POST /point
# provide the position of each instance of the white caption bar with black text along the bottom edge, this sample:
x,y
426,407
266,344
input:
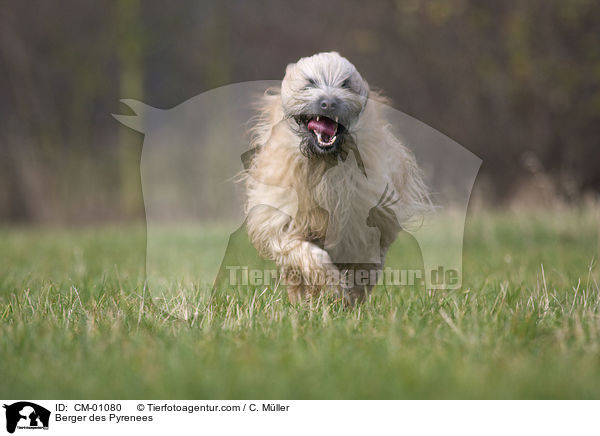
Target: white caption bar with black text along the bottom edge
x,y
22,417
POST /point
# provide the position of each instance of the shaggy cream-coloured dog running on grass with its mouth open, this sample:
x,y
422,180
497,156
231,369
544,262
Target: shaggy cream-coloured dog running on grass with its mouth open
x,y
324,136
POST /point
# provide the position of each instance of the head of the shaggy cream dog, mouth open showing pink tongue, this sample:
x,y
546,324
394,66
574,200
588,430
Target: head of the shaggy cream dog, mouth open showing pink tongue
x,y
323,96
